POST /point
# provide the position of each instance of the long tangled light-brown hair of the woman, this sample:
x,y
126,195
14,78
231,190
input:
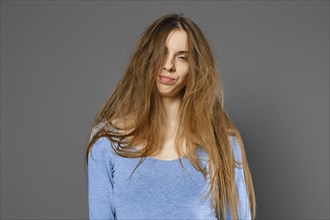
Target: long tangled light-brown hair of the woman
x,y
134,114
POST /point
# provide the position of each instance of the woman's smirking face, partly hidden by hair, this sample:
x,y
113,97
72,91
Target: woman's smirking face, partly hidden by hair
x,y
173,76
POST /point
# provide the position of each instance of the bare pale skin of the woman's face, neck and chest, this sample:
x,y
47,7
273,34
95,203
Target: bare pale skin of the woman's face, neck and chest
x,y
176,67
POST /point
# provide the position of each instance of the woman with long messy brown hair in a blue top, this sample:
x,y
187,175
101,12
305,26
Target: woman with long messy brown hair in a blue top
x,y
165,123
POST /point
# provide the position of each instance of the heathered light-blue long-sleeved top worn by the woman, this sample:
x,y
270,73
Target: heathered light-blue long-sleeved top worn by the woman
x,y
158,189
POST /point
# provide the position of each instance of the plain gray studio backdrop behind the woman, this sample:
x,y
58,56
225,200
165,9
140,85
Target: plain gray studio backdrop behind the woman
x,y
60,60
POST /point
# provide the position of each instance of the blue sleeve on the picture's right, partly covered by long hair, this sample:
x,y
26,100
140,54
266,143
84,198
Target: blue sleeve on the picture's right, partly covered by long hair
x,y
243,209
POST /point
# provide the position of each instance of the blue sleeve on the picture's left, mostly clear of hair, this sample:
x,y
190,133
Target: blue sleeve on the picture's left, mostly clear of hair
x,y
100,181
